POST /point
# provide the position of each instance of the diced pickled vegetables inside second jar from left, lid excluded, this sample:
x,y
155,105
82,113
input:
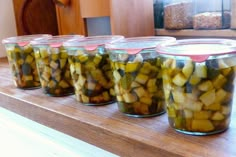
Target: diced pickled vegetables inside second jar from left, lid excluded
x,y
54,71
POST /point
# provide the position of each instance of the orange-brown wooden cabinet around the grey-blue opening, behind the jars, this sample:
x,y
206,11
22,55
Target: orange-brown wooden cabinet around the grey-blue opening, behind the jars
x,y
129,18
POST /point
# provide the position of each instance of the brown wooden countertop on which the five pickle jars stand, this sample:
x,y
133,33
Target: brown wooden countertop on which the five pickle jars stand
x,y
107,128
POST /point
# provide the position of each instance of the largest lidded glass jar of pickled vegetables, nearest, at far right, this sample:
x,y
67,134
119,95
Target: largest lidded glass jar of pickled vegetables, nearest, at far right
x,y
198,81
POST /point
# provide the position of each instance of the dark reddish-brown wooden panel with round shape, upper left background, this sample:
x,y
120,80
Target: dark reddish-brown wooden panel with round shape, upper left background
x,y
35,17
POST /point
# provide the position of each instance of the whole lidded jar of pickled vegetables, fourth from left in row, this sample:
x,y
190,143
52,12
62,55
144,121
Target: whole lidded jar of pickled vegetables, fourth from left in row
x,y
136,69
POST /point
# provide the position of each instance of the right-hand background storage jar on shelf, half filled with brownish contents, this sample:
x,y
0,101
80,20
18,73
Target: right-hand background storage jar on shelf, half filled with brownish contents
x,y
212,14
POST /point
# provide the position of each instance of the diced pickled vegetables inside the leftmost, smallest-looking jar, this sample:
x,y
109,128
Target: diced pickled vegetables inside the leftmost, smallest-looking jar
x,y
23,66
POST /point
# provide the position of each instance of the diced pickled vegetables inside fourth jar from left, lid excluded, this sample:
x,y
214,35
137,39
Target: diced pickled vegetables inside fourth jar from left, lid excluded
x,y
138,86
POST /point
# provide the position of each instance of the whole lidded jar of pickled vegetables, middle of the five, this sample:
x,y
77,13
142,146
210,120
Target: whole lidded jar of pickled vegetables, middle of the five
x,y
91,70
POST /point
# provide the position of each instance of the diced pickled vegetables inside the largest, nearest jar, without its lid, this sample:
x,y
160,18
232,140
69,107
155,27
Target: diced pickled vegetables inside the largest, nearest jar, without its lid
x,y
198,95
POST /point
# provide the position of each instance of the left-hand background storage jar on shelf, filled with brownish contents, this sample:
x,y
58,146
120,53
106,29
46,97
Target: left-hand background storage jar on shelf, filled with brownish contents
x,y
178,14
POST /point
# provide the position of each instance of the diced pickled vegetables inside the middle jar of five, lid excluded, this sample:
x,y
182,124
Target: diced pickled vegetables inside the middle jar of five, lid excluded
x,y
92,78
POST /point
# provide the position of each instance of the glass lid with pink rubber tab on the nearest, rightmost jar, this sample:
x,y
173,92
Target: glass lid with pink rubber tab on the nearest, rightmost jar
x,y
198,49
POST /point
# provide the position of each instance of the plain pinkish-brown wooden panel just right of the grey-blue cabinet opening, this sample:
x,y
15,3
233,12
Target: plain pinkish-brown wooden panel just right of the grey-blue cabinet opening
x,y
132,18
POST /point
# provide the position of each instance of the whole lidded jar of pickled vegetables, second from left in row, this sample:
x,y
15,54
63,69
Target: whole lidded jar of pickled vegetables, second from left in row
x,y
52,64
